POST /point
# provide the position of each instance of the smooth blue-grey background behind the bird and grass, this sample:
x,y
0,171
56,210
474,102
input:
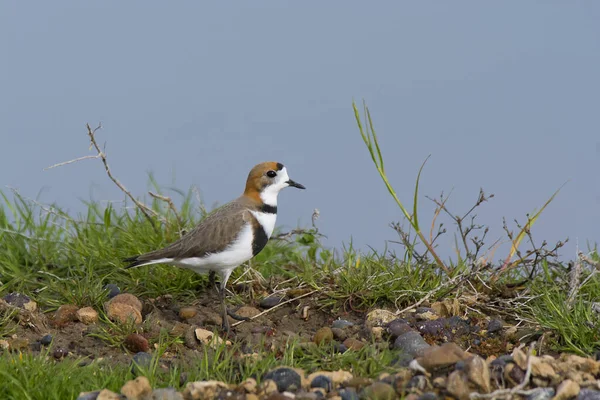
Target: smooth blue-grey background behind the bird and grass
x,y
503,96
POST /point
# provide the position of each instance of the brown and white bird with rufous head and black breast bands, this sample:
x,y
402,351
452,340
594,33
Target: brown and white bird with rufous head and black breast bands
x,y
230,235
